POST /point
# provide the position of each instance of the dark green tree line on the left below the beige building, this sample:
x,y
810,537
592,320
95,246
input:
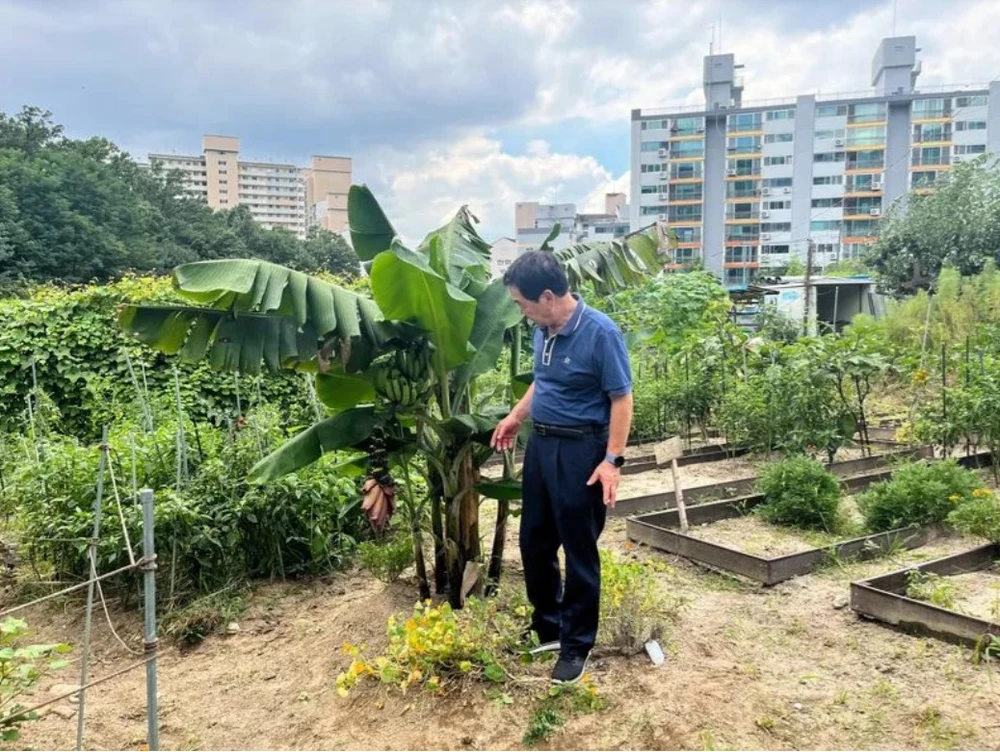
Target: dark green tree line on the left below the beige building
x,y
82,210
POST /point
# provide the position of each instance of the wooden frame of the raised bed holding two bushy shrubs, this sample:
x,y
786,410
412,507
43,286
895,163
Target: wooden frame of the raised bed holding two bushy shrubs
x,y
661,530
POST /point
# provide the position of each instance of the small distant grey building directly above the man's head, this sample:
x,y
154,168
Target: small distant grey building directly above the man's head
x,y
534,221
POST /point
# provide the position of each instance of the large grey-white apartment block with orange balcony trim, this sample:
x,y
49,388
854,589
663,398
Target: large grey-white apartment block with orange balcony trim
x,y
750,185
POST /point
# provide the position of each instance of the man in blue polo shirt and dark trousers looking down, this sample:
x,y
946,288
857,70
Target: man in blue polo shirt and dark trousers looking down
x,y
580,404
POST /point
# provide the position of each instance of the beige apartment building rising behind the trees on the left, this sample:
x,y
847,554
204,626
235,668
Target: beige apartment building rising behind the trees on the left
x,y
278,195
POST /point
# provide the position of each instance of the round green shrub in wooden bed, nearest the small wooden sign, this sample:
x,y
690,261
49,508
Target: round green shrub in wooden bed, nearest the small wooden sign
x,y
798,491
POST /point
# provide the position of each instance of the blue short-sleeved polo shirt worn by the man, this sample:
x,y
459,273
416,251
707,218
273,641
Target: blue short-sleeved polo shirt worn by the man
x,y
579,370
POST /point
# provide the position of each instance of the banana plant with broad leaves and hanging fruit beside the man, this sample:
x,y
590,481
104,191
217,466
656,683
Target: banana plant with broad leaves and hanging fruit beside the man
x,y
395,371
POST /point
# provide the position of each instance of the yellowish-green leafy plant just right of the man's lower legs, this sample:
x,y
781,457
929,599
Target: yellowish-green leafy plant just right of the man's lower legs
x,y
634,607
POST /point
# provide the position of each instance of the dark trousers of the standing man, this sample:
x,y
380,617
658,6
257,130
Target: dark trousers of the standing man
x,y
559,508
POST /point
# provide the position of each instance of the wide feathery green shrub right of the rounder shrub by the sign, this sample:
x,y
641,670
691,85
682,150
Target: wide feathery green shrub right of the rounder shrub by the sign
x,y
919,493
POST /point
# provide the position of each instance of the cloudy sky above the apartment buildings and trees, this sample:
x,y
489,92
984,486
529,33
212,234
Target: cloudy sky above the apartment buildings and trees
x,y
445,102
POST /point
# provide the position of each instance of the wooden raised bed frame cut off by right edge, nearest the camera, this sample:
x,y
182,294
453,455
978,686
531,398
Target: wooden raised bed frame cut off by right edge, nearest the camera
x,y
884,598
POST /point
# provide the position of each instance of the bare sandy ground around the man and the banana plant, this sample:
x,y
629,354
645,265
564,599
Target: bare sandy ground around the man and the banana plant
x,y
788,667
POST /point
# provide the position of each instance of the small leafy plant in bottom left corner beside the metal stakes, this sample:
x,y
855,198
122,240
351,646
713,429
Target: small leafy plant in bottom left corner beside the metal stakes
x,y
21,668
